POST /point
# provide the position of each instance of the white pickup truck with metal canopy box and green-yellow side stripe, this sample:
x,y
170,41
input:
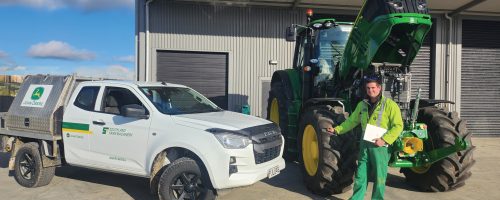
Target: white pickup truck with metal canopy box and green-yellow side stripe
x,y
186,145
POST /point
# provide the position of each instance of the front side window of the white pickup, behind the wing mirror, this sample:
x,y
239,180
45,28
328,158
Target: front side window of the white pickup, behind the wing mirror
x,y
115,98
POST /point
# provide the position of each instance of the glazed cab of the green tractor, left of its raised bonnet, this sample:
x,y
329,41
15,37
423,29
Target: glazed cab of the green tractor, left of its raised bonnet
x,y
318,53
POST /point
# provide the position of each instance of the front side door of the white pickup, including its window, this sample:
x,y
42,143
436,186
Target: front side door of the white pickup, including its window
x,y
119,142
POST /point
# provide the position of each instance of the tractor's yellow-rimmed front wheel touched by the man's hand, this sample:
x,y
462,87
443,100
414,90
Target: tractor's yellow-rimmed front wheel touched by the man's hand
x,y
328,162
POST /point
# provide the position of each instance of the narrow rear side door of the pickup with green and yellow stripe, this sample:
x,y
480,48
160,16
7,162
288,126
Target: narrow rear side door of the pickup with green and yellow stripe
x,y
76,125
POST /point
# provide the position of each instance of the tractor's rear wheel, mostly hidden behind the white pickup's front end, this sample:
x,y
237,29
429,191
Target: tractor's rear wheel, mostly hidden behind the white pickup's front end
x,y
277,109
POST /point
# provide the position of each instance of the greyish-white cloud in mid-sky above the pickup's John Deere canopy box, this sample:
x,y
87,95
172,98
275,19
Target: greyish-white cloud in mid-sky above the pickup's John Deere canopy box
x,y
59,50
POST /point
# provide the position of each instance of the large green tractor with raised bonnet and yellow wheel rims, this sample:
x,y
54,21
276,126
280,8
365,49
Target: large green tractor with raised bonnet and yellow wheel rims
x,y
331,58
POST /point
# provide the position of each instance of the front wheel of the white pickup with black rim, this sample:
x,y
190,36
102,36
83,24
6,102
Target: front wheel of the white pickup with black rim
x,y
183,180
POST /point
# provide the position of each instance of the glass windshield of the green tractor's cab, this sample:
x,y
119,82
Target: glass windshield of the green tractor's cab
x,y
330,44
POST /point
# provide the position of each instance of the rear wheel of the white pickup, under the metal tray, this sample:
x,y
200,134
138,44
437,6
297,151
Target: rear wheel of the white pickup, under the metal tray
x,y
29,171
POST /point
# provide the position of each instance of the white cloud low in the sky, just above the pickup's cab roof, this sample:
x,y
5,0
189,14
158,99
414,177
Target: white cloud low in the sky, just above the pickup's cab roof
x,y
111,72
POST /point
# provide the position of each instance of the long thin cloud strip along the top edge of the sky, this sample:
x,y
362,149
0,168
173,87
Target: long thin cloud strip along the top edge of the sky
x,y
87,5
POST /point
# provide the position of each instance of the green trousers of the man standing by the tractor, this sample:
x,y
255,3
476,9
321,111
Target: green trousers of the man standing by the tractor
x,y
372,161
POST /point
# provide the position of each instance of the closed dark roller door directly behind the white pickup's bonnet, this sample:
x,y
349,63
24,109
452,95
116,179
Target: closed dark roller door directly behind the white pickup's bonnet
x,y
202,71
